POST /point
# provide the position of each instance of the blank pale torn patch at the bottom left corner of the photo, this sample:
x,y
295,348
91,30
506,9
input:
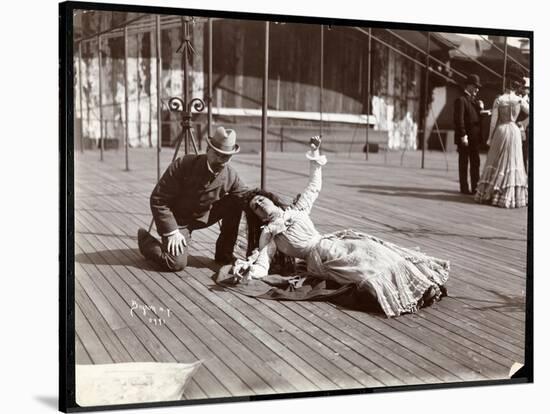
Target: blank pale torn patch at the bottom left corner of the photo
x,y
133,382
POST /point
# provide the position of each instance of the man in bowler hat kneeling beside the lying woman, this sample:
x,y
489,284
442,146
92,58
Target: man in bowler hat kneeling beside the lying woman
x,y
195,192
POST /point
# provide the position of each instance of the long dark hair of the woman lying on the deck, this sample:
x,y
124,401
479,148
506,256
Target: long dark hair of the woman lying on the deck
x,y
281,263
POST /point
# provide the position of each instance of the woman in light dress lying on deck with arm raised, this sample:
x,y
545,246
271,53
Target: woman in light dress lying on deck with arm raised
x,y
401,280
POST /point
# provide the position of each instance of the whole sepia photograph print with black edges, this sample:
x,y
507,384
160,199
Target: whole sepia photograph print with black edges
x,y
278,206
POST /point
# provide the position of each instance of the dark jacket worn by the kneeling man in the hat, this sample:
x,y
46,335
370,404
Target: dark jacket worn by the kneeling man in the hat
x,y
186,193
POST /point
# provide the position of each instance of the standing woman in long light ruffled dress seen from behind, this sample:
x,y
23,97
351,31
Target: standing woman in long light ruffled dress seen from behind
x,y
503,182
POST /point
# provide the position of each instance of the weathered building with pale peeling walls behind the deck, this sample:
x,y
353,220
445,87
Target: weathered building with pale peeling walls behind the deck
x,y
397,82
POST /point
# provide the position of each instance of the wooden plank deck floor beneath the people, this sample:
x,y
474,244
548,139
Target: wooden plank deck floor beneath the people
x,y
251,346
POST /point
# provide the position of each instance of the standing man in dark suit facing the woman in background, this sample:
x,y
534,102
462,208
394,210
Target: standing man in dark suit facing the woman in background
x,y
467,114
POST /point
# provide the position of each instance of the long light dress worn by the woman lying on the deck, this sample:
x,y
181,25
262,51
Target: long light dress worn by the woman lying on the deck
x,y
396,276
